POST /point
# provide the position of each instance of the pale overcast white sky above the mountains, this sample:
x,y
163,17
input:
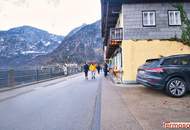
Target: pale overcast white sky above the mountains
x,y
54,16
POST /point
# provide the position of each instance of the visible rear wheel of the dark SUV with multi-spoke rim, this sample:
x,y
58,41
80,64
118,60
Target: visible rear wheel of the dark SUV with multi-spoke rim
x,y
176,87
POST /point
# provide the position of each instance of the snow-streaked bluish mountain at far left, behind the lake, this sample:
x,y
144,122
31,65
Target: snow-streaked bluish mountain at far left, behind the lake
x,y
21,44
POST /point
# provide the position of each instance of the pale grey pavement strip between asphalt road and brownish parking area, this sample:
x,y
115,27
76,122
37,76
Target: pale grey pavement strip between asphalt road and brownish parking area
x,y
115,114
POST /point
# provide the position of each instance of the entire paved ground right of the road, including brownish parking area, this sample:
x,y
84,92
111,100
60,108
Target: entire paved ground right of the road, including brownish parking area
x,y
136,107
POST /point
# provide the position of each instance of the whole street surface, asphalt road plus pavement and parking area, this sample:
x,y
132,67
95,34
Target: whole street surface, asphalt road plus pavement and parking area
x,y
73,103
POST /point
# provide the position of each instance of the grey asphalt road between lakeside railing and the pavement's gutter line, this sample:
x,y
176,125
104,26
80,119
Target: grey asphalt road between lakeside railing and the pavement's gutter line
x,y
73,104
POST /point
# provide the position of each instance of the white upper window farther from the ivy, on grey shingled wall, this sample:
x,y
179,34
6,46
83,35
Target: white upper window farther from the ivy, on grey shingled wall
x,y
149,18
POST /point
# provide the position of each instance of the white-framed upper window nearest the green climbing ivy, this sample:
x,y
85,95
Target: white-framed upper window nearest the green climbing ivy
x,y
174,17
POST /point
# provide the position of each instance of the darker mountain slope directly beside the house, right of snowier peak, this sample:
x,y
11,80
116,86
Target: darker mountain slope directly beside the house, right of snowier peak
x,y
83,45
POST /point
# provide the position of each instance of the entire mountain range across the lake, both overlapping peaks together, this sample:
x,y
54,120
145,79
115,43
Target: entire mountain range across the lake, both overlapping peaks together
x,y
30,46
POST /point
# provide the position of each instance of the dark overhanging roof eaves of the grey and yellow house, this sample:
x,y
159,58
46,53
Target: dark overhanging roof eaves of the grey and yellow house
x,y
110,12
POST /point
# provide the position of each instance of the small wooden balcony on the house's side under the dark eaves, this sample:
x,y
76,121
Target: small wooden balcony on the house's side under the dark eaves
x,y
116,36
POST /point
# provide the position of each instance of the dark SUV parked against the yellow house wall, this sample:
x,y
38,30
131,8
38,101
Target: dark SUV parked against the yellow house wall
x,y
171,74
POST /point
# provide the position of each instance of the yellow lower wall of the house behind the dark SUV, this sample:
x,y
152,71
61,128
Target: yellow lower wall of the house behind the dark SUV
x,y
135,53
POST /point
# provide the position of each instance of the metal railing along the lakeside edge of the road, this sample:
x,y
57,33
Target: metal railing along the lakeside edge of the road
x,y
12,77
